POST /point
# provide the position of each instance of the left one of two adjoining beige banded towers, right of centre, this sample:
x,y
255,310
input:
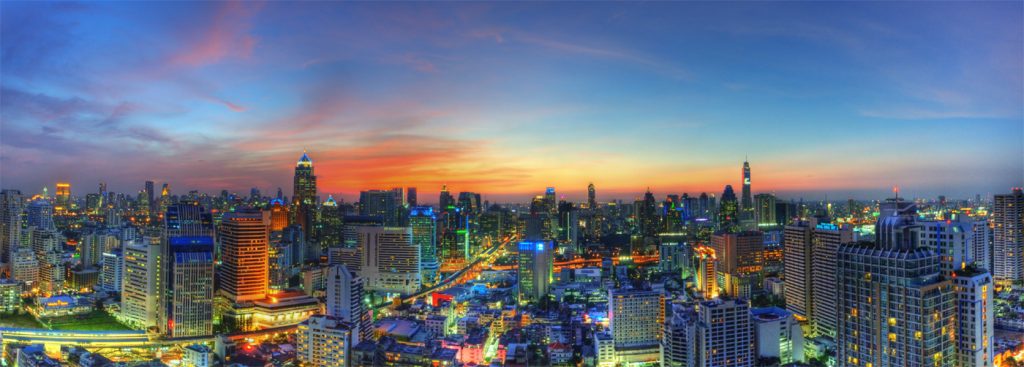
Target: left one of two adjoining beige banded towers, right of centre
x,y
797,253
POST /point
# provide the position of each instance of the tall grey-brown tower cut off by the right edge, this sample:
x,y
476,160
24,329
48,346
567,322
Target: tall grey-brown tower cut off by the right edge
x,y
1008,237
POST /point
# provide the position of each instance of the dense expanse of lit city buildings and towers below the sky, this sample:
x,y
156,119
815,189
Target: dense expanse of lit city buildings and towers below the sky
x,y
704,280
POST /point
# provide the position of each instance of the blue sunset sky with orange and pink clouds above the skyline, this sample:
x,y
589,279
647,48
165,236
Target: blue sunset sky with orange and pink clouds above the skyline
x,y
826,100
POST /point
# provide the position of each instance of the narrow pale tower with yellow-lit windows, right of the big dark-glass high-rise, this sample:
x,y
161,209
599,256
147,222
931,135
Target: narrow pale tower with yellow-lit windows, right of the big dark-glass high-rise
x,y
975,317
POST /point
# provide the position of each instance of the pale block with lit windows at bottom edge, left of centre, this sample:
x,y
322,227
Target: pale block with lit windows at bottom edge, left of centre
x,y
324,342
